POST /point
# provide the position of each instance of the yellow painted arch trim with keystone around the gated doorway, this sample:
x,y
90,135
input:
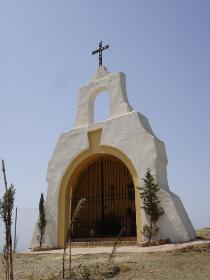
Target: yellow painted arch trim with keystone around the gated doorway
x,y
71,174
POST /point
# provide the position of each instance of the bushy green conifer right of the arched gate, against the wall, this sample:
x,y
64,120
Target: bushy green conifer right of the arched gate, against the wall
x,y
150,206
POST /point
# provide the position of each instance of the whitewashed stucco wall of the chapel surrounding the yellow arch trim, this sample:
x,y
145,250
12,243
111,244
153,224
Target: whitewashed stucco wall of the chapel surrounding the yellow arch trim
x,y
129,132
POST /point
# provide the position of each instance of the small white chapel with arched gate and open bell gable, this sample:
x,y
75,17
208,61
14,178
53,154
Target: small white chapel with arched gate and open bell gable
x,y
105,162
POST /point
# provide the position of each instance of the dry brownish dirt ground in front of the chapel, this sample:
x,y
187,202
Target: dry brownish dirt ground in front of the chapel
x,y
192,262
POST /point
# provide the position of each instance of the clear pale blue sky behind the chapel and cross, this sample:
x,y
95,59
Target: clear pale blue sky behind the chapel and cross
x,y
162,46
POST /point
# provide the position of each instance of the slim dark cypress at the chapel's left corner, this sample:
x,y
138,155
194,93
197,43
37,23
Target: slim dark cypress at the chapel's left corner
x,y
42,221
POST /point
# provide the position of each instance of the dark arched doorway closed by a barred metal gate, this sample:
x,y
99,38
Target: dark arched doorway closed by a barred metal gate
x,y
107,184
